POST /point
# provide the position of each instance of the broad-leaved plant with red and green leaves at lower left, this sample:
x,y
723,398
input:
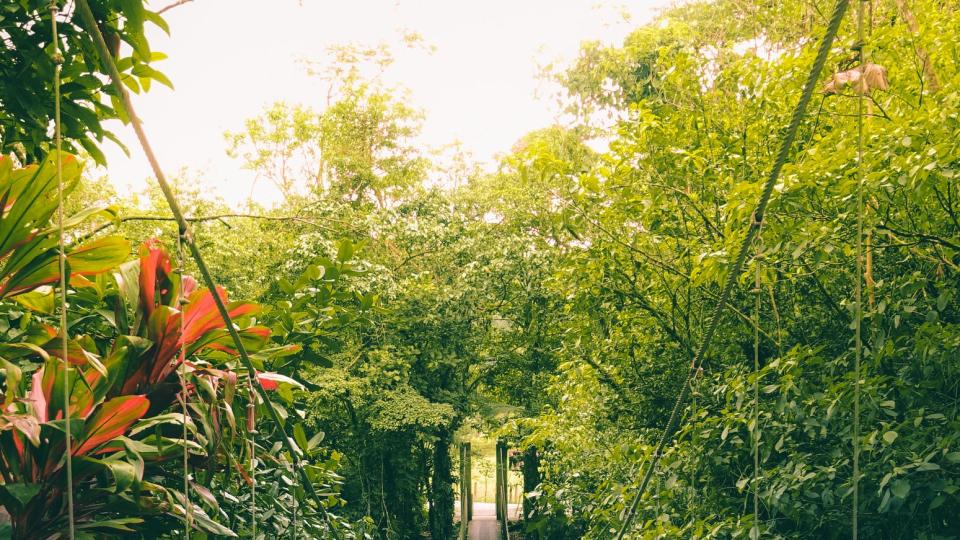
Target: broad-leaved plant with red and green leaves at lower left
x,y
117,389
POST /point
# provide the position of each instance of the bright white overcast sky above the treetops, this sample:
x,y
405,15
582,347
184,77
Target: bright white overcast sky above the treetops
x,y
228,59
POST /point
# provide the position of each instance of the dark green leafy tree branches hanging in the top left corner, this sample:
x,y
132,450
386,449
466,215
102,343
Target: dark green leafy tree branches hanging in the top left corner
x,y
26,86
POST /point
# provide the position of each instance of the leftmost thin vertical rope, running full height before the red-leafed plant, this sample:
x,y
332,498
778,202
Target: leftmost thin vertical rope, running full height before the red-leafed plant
x,y
62,256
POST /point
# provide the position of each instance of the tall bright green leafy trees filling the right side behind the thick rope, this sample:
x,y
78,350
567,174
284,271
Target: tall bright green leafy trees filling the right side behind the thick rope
x,y
700,103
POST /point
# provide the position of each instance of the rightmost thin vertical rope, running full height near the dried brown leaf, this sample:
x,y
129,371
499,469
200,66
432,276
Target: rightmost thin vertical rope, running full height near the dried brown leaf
x,y
858,288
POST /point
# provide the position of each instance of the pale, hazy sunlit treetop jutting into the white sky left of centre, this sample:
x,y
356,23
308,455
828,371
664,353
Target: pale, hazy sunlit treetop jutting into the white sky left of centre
x,y
358,148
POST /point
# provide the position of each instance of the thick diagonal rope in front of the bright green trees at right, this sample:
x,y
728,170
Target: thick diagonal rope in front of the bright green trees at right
x,y
782,157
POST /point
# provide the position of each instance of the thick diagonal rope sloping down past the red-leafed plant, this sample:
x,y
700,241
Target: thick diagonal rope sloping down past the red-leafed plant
x,y
90,24
